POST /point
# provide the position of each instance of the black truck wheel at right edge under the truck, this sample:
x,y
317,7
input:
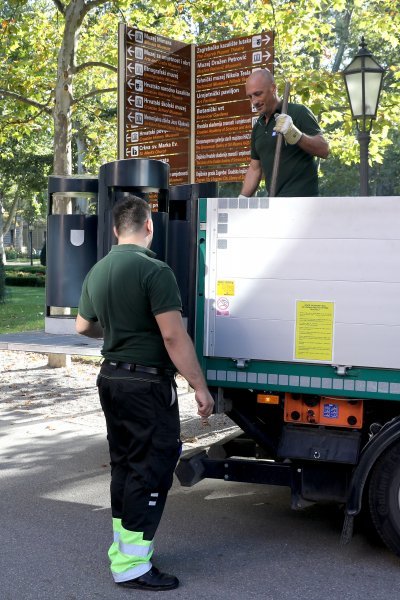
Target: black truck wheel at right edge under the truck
x,y
384,497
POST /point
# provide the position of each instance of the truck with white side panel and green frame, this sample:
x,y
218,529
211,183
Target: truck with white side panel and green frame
x,y
297,328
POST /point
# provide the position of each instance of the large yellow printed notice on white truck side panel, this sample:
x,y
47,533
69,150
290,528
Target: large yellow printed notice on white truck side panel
x,y
314,330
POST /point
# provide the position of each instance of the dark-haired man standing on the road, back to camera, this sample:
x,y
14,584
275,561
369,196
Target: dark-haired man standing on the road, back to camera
x,y
132,300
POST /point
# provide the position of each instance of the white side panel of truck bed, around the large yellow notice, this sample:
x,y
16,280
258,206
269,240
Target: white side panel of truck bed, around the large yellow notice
x,y
278,251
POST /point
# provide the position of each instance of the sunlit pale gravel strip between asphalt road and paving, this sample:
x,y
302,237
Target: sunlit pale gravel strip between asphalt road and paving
x,y
30,389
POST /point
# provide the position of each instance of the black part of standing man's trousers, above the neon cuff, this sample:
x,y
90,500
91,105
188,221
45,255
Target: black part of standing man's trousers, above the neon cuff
x,y
143,432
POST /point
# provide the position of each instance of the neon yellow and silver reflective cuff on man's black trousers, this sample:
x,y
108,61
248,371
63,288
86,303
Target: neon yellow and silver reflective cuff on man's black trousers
x,y
129,553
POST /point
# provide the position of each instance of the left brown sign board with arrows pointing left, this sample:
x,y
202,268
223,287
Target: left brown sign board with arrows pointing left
x,y
155,104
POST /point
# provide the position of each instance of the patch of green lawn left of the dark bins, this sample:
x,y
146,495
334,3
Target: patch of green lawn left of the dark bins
x,y
23,310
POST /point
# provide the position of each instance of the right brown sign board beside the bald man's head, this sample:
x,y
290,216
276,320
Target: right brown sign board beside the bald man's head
x,y
223,114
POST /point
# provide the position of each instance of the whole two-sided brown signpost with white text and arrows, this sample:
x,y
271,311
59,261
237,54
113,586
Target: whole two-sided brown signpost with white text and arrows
x,y
186,105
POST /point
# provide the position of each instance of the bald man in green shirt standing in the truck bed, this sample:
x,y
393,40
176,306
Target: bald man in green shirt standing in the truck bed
x,y
303,141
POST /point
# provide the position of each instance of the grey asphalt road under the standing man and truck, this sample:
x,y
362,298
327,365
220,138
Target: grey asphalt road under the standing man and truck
x,y
223,540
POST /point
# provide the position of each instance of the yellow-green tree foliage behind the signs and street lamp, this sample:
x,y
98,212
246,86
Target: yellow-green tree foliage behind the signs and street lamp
x,y
59,71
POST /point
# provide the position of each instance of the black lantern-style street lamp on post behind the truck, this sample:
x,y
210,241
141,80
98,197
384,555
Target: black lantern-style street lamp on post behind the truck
x,y
363,78
